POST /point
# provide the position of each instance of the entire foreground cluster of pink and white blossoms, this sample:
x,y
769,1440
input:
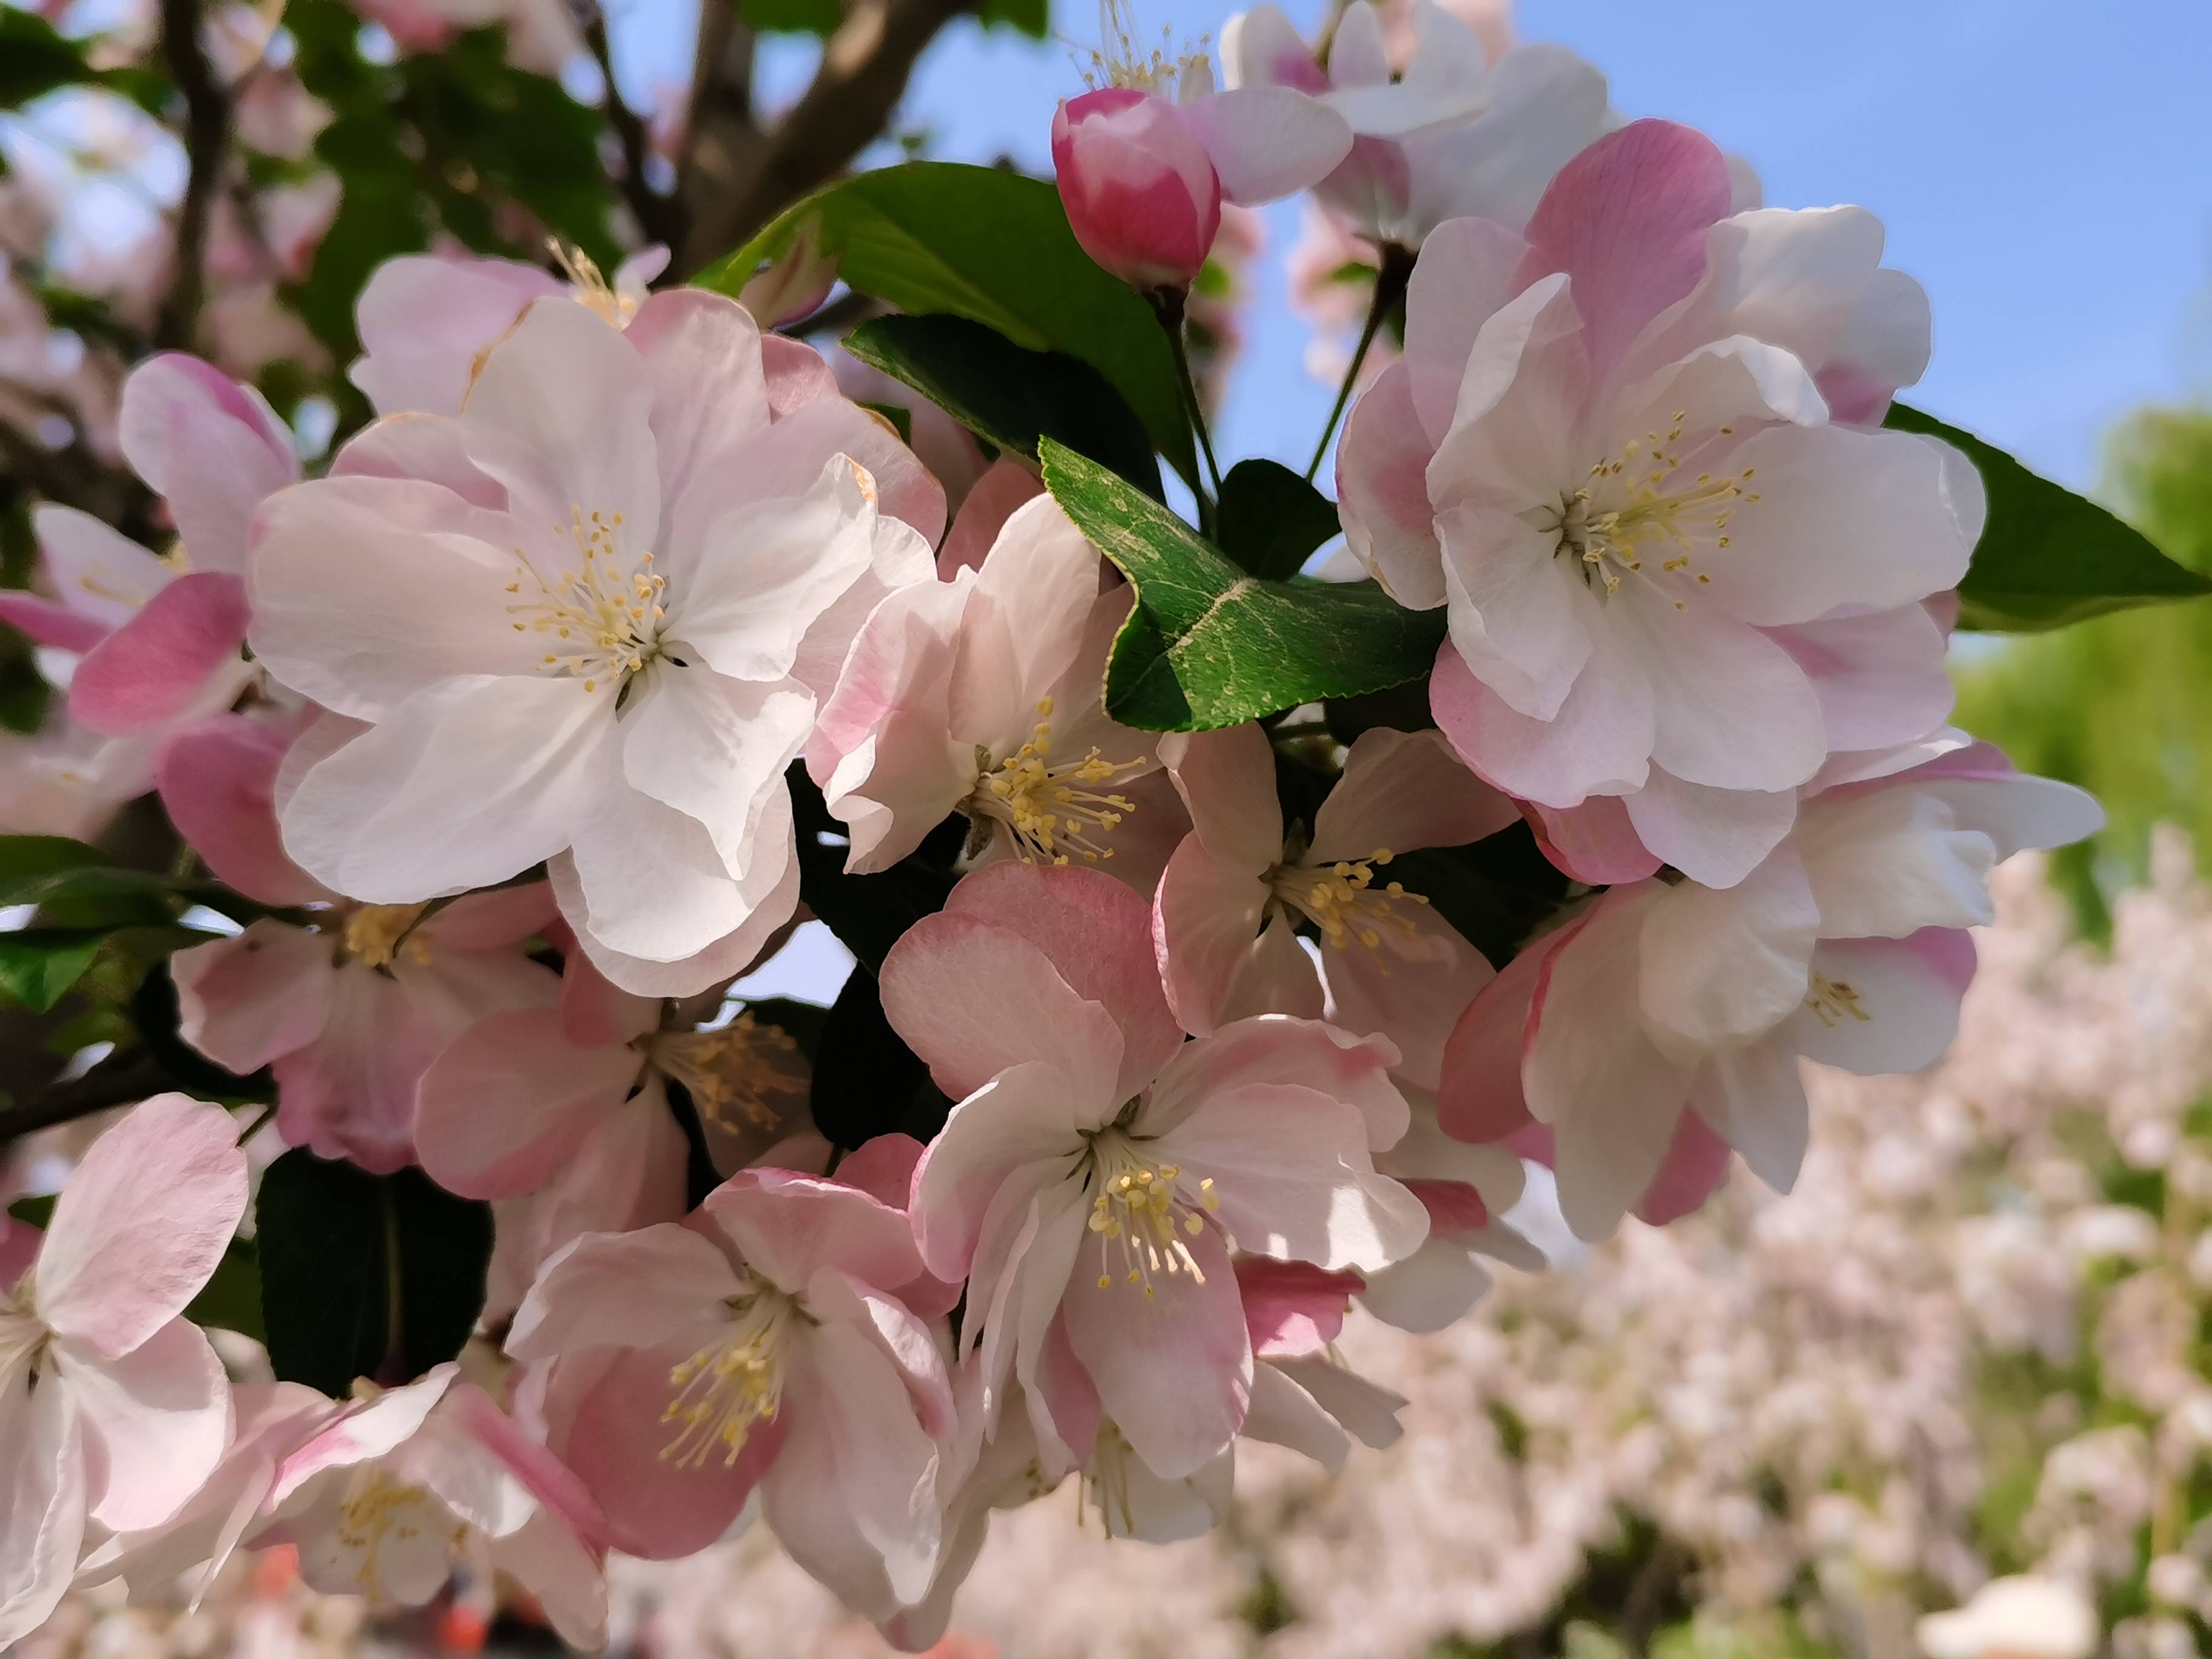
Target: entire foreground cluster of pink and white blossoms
x,y
519,720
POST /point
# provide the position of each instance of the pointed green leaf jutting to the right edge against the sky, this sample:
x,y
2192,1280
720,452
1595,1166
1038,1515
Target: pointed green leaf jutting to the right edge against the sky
x,y
2049,556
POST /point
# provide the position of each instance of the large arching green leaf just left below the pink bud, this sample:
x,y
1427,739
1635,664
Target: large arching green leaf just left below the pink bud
x,y
992,247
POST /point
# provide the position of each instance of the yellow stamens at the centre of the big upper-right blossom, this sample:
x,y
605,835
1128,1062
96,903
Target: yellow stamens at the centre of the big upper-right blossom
x,y
1647,505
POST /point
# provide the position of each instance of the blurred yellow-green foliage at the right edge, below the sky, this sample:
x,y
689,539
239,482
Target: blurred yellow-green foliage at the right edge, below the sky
x,y
2120,705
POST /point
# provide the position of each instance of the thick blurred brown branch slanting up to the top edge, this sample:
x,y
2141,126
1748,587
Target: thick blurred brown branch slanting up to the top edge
x,y
866,67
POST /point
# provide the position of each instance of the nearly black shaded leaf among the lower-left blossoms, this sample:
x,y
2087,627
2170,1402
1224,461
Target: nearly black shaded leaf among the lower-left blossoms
x,y
366,1275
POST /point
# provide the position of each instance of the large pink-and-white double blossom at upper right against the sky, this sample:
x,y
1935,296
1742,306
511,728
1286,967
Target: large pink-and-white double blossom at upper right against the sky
x,y
1609,455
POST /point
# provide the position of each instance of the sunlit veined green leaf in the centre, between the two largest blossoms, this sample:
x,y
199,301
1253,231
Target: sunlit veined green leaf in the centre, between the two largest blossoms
x,y
1211,647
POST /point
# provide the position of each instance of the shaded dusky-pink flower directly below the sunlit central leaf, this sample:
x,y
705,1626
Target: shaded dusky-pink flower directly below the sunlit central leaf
x,y
1238,888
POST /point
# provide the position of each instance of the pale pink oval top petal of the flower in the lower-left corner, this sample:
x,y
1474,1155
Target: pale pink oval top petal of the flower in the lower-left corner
x,y
143,1224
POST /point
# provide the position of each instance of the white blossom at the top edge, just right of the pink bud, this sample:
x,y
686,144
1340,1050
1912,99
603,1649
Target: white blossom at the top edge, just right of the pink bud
x,y
1459,134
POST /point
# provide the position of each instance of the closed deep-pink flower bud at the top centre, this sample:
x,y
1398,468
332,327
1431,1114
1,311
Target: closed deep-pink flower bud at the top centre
x,y
1140,189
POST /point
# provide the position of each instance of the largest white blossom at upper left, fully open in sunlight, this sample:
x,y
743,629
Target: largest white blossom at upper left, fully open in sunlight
x,y
585,623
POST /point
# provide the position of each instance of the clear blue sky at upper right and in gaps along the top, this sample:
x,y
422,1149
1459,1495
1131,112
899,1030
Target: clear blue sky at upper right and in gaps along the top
x,y
2045,169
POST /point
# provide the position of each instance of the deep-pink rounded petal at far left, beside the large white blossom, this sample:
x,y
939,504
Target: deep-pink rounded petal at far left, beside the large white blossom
x,y
163,662
